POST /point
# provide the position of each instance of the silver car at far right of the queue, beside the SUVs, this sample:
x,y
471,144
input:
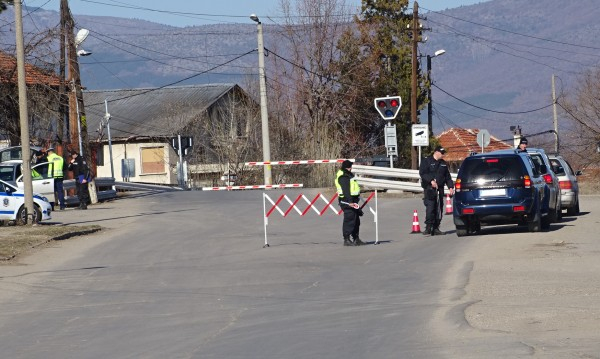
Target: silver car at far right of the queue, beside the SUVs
x,y
569,188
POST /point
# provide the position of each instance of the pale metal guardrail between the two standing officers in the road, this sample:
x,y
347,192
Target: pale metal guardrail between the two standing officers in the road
x,y
369,176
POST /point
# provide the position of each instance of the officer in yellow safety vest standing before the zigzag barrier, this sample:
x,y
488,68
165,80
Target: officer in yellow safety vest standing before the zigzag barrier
x,y
348,197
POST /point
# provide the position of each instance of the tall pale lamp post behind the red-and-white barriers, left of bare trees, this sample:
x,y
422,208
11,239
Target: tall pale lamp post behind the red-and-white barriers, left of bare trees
x,y
264,115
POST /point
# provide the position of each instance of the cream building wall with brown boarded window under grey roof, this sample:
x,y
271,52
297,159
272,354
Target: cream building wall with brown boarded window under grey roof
x,y
144,171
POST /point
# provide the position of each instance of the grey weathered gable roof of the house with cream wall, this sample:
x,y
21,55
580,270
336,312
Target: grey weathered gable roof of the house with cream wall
x,y
151,112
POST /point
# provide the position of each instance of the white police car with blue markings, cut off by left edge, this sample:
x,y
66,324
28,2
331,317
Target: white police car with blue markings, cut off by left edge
x,y
12,204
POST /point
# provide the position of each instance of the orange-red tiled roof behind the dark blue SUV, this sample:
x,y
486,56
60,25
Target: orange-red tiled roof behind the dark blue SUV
x,y
460,143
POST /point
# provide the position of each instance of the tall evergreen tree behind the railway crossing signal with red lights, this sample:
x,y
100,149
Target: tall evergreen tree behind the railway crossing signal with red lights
x,y
384,37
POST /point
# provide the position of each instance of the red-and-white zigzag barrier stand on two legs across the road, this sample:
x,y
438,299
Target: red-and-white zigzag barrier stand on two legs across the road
x,y
311,204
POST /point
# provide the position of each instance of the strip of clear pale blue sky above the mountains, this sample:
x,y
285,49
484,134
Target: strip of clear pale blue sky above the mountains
x,y
200,12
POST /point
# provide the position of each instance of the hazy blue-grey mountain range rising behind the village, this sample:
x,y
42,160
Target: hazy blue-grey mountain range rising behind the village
x,y
496,72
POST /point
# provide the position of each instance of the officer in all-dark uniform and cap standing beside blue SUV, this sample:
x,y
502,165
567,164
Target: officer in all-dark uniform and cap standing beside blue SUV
x,y
434,174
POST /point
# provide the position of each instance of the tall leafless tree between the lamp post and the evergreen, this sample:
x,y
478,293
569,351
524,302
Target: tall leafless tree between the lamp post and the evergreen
x,y
306,81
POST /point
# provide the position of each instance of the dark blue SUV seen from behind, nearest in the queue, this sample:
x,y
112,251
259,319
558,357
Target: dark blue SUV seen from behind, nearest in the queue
x,y
499,187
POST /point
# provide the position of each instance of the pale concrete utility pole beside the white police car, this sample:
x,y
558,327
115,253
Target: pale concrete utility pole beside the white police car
x,y
23,115
